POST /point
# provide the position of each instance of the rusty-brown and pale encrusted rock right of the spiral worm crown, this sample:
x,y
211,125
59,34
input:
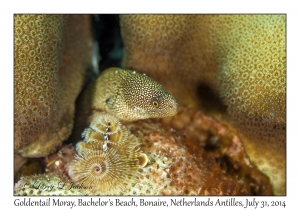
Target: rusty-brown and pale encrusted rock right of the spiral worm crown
x,y
193,154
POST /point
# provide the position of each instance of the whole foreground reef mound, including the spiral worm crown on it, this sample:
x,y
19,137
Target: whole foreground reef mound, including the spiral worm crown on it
x,y
188,154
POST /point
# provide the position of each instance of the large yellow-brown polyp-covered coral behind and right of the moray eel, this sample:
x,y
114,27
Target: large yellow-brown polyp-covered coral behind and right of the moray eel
x,y
229,65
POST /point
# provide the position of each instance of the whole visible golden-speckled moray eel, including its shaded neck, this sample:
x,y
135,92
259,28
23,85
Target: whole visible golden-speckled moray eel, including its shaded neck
x,y
125,94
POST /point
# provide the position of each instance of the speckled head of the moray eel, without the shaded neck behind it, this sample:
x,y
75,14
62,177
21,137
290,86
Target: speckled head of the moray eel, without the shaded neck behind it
x,y
141,97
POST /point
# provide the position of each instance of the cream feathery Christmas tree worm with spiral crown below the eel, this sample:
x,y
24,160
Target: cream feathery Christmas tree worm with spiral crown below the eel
x,y
108,157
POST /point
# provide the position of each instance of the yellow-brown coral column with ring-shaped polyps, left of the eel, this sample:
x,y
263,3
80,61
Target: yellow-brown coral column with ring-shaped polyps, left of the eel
x,y
51,54
